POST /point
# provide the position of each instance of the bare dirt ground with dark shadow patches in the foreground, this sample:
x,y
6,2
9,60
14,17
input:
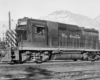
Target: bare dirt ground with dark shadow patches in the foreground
x,y
50,72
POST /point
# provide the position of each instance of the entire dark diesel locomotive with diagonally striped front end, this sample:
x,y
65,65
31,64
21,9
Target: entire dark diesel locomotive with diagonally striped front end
x,y
36,40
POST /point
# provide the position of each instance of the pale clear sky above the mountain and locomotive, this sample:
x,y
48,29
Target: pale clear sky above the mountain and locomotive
x,y
39,8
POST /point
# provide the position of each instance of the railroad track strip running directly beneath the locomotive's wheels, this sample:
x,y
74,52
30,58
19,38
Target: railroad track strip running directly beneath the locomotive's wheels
x,y
53,62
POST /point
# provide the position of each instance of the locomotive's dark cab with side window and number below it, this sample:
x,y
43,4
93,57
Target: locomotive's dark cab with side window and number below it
x,y
32,33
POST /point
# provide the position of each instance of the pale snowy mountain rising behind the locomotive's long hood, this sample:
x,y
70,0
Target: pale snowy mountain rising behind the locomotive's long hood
x,y
71,18
